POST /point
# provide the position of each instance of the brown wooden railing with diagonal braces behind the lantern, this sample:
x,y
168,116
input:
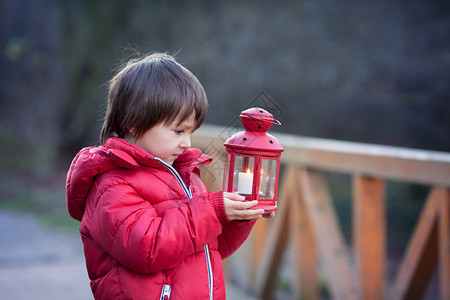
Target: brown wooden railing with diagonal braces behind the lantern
x,y
307,220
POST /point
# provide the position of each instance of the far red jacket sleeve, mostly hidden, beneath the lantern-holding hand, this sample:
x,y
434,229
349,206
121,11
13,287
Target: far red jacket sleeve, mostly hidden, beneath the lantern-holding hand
x,y
234,233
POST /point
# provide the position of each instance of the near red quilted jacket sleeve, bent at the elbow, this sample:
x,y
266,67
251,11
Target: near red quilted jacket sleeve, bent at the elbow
x,y
129,229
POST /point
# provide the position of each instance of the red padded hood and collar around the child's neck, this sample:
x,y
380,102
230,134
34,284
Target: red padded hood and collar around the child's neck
x,y
117,153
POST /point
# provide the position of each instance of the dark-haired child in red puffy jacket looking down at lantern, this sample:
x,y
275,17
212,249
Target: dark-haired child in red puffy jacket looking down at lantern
x,y
149,227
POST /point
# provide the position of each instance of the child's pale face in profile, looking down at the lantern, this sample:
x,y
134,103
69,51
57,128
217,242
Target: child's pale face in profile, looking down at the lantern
x,y
167,141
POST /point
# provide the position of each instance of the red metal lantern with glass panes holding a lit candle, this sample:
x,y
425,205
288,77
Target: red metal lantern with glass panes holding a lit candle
x,y
253,160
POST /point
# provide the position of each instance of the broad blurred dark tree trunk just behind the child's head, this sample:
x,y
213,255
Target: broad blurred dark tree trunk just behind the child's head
x,y
90,30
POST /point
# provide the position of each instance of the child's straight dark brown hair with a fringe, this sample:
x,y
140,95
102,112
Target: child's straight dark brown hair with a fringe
x,y
152,90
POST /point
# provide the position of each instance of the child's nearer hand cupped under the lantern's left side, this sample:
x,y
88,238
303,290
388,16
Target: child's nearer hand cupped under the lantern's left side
x,y
237,209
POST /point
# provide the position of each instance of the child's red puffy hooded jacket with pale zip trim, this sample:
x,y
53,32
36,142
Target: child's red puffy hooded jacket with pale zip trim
x,y
150,230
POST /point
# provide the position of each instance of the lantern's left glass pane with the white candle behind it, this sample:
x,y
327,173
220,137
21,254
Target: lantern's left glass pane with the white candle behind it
x,y
243,174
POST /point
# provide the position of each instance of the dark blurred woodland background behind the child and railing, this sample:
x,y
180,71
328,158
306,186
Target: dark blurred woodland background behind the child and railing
x,y
366,71
